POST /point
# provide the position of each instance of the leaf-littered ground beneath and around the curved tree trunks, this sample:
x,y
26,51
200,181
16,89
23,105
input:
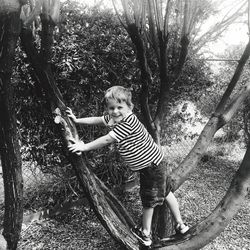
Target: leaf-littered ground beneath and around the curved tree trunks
x,y
198,196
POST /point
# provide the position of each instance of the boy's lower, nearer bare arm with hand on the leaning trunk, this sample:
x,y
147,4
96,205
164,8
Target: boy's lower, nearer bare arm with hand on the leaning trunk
x,y
98,143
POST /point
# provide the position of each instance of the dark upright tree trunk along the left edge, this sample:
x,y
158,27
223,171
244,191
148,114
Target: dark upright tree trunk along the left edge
x,y
10,149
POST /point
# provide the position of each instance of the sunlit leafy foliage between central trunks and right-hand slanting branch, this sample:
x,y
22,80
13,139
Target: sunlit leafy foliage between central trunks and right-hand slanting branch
x,y
193,85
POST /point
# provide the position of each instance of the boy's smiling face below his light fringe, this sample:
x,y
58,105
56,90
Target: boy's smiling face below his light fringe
x,y
118,110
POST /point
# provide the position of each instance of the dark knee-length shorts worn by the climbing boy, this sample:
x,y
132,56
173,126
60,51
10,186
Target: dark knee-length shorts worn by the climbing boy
x,y
155,185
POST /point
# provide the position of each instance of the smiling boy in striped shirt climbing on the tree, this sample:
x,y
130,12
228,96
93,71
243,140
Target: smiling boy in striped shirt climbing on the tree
x,y
139,151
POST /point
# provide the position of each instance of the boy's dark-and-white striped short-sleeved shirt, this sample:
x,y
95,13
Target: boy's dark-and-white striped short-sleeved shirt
x,y
135,144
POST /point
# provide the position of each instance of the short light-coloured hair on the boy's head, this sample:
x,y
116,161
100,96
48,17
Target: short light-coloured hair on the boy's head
x,y
119,94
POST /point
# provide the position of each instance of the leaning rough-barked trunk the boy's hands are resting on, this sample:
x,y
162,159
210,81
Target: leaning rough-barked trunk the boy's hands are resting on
x,y
112,215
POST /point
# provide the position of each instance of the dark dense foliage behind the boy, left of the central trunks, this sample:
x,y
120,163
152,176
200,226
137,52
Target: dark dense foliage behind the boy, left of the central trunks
x,y
91,52
